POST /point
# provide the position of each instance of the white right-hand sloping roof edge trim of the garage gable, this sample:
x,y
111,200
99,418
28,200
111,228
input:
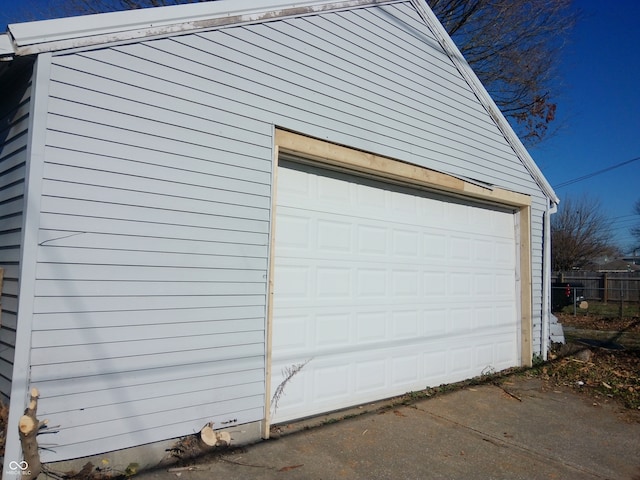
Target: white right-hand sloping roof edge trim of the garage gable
x,y
478,88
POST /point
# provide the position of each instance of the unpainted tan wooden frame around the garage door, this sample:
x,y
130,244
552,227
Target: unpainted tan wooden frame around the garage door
x,y
338,157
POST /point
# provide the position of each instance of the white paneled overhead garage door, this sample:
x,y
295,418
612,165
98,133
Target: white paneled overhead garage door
x,y
382,290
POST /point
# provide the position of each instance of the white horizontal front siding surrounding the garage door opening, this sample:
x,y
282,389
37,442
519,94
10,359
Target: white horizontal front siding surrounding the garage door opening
x,y
150,300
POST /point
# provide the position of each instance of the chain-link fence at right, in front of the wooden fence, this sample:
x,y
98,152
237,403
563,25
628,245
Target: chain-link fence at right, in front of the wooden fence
x,y
597,293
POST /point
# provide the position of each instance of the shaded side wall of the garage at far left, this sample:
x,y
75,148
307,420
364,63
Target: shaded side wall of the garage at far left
x,y
14,122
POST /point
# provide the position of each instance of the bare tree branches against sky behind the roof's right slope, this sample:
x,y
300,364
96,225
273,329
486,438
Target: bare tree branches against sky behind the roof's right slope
x,y
514,48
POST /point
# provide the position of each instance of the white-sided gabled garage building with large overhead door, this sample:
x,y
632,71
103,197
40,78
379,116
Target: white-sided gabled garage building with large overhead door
x,y
196,199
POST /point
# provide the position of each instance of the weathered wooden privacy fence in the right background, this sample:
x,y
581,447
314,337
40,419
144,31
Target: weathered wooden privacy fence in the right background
x,y
602,286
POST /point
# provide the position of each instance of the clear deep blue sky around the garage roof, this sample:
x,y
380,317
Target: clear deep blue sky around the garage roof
x,y
598,121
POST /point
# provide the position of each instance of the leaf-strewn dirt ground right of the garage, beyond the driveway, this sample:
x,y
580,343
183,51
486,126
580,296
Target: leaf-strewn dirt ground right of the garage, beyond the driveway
x,y
608,371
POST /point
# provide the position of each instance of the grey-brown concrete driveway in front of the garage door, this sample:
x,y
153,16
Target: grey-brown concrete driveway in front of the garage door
x,y
479,432
